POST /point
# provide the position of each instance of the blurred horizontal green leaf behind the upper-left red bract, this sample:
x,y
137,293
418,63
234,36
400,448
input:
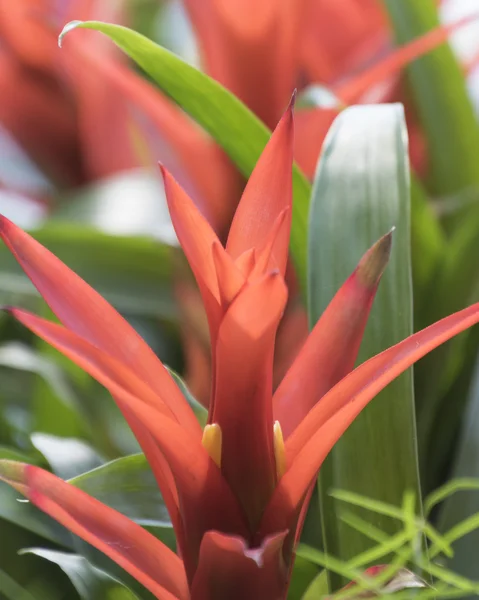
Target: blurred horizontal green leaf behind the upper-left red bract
x,y
131,273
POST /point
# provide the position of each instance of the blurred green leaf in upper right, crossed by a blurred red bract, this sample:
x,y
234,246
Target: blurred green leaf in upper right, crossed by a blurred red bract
x,y
439,91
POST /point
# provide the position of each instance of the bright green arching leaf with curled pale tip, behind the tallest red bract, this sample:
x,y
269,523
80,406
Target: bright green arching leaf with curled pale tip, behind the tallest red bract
x,y
236,129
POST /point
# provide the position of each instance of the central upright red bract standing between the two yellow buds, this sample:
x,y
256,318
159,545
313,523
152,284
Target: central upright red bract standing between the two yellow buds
x,y
243,390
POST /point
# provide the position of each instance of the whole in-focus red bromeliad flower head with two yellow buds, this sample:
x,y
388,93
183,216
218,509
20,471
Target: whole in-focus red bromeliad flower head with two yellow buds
x,y
237,492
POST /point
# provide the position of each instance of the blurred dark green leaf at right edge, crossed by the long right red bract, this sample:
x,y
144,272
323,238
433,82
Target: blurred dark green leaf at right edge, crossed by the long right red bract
x,y
442,398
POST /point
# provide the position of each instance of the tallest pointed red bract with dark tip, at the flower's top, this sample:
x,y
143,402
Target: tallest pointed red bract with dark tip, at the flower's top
x,y
267,194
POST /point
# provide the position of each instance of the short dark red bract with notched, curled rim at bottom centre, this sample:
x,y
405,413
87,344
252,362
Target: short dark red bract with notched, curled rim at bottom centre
x,y
245,572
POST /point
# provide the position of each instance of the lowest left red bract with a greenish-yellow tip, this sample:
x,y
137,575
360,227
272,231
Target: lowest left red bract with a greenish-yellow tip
x,y
138,552
